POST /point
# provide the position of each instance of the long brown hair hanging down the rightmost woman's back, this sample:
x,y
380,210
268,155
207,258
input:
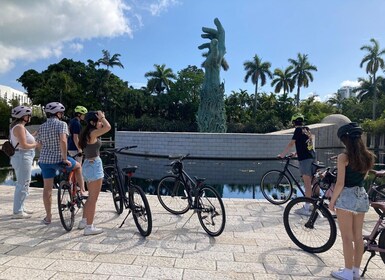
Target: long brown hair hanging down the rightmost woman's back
x,y
360,158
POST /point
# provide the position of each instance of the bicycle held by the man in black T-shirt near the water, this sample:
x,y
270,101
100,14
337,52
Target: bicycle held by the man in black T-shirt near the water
x,y
277,185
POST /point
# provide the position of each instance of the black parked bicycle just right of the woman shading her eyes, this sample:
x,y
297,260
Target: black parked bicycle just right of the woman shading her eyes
x,y
126,193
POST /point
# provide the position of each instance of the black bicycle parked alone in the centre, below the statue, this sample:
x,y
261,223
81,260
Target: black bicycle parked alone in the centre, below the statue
x,y
179,193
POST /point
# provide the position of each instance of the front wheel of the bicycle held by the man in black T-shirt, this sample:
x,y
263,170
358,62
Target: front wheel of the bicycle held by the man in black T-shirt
x,y
276,187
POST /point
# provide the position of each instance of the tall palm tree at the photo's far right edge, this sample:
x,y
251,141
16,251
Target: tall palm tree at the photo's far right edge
x,y
373,62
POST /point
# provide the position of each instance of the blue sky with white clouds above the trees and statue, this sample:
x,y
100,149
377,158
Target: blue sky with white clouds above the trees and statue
x,y
36,34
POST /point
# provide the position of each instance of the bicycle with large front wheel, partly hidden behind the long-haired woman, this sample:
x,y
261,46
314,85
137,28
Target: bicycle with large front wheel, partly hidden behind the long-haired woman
x,y
317,231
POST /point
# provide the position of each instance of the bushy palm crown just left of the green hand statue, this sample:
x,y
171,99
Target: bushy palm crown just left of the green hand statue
x,y
160,79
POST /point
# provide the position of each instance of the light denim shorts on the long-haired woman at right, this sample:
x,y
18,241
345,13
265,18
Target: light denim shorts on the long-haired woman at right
x,y
353,199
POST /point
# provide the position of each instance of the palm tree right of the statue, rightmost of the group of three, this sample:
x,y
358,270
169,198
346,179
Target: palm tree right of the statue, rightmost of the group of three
x,y
301,73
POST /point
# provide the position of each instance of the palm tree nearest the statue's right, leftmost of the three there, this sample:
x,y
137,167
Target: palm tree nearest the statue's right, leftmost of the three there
x,y
255,70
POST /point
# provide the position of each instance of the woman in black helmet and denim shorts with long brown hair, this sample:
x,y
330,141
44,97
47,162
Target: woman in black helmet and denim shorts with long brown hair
x,y
349,199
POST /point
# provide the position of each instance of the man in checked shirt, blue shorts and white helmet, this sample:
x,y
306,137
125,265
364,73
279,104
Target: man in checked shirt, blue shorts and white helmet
x,y
52,139
